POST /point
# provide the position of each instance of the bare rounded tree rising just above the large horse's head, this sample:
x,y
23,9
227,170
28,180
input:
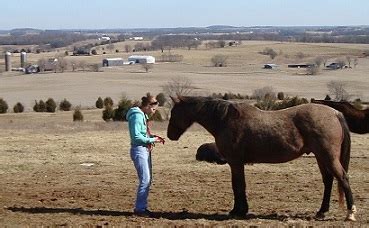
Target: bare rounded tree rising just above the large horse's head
x,y
179,86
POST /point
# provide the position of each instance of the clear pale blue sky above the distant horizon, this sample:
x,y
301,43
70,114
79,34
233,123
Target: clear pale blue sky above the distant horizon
x,y
101,14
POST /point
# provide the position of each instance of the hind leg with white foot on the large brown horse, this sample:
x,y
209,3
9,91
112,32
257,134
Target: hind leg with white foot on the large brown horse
x,y
342,178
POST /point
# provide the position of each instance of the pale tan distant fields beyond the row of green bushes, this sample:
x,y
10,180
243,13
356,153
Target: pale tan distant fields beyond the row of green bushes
x,y
243,74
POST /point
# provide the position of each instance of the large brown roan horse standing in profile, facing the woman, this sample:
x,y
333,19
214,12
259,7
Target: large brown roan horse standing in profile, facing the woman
x,y
244,134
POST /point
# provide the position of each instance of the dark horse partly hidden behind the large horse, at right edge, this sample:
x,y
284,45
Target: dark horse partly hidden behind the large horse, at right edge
x,y
357,120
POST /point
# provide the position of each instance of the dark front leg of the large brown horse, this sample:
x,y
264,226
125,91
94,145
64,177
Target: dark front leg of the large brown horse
x,y
241,207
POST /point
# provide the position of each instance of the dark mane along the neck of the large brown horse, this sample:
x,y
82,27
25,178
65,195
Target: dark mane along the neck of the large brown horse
x,y
216,107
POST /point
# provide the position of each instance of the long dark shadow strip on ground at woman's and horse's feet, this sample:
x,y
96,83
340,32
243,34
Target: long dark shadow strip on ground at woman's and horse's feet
x,y
159,215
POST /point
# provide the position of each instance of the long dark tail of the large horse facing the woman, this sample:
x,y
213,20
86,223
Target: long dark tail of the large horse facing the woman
x,y
345,153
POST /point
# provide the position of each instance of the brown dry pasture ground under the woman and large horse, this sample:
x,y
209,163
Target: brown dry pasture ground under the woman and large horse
x,y
46,182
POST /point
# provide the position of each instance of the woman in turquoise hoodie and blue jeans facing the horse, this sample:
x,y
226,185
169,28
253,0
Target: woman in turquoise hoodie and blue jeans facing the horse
x,y
141,143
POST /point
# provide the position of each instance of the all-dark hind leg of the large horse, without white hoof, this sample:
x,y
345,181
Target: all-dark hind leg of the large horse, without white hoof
x,y
328,182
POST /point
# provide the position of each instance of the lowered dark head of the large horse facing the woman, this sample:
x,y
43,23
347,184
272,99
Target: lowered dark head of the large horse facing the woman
x,y
179,119
